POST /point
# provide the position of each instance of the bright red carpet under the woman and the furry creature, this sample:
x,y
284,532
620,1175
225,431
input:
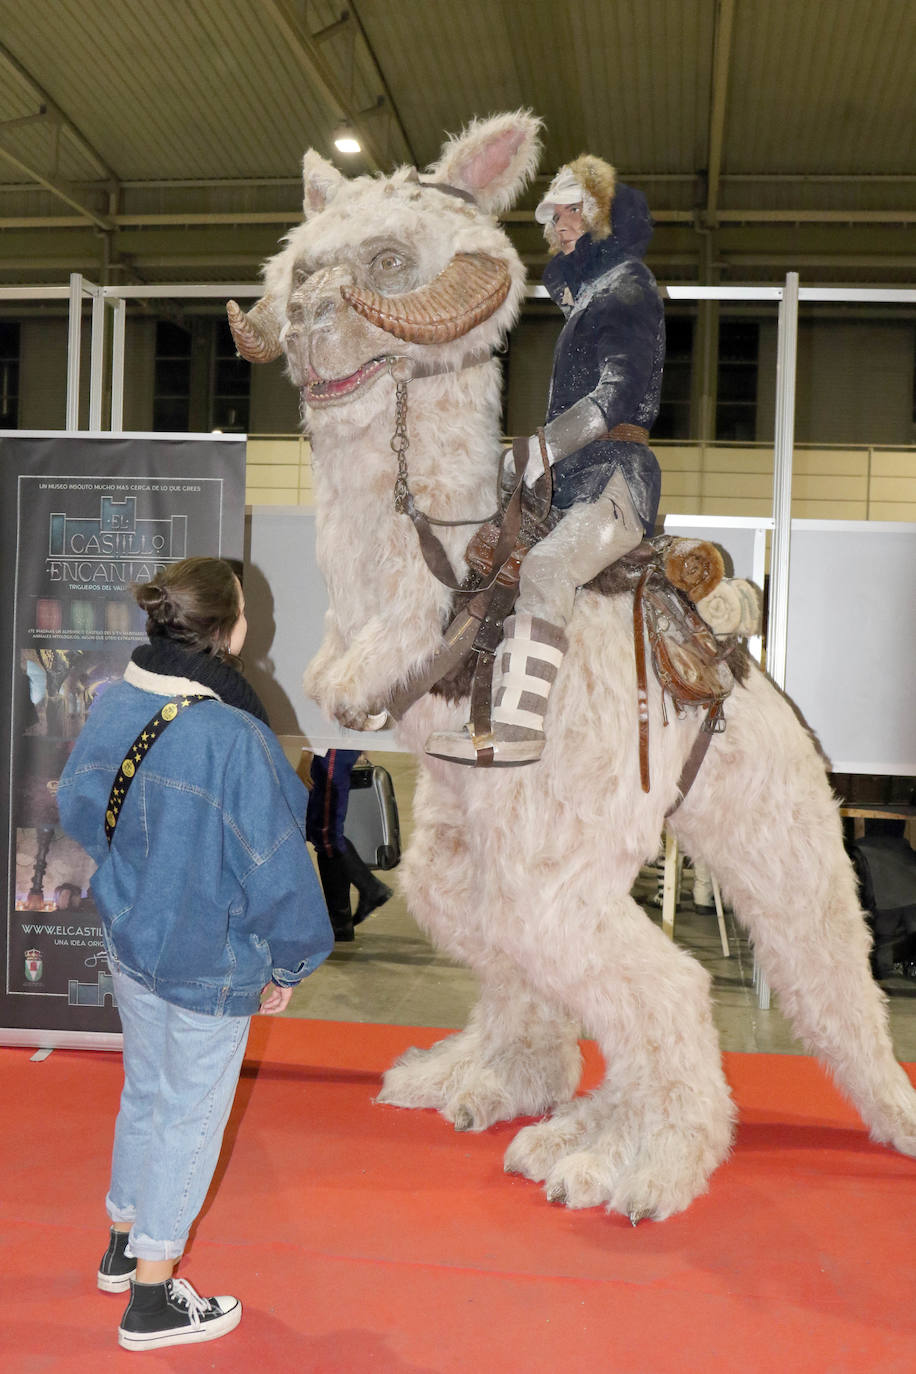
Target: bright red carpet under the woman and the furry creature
x,y
366,1239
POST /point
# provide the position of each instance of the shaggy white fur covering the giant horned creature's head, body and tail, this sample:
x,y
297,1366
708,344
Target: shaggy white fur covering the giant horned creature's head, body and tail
x,y
525,875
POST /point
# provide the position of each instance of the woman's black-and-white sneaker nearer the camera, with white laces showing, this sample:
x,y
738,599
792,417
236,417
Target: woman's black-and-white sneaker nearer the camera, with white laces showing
x,y
175,1314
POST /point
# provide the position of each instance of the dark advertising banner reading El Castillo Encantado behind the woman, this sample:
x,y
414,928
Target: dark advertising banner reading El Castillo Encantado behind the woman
x,y
82,519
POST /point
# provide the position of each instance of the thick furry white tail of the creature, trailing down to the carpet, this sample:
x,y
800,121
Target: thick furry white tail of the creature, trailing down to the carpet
x,y
763,817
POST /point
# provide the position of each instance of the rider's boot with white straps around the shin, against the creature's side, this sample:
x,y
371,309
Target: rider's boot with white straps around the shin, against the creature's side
x,y
529,660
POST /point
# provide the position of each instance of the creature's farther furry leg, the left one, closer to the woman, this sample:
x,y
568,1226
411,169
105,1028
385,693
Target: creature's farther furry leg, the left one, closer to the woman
x,y
520,1053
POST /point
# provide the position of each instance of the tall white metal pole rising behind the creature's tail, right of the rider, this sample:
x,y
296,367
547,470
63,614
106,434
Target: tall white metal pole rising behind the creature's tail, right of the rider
x,y
786,358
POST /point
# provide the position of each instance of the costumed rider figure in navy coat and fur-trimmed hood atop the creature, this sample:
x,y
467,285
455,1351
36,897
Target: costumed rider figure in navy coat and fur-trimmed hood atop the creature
x,y
605,396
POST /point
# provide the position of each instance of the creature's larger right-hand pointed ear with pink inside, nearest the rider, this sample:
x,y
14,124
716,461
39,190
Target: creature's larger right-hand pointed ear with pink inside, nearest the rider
x,y
492,159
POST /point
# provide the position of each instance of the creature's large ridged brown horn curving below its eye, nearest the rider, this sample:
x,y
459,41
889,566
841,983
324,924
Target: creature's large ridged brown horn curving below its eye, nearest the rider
x,y
465,295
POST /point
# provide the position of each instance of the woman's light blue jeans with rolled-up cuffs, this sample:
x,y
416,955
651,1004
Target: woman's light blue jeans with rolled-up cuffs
x,y
181,1074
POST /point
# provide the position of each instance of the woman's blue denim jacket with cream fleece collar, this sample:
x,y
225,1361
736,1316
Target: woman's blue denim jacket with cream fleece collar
x,y
208,892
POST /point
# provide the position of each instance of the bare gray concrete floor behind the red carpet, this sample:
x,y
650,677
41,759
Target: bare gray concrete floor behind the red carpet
x,y
392,973
